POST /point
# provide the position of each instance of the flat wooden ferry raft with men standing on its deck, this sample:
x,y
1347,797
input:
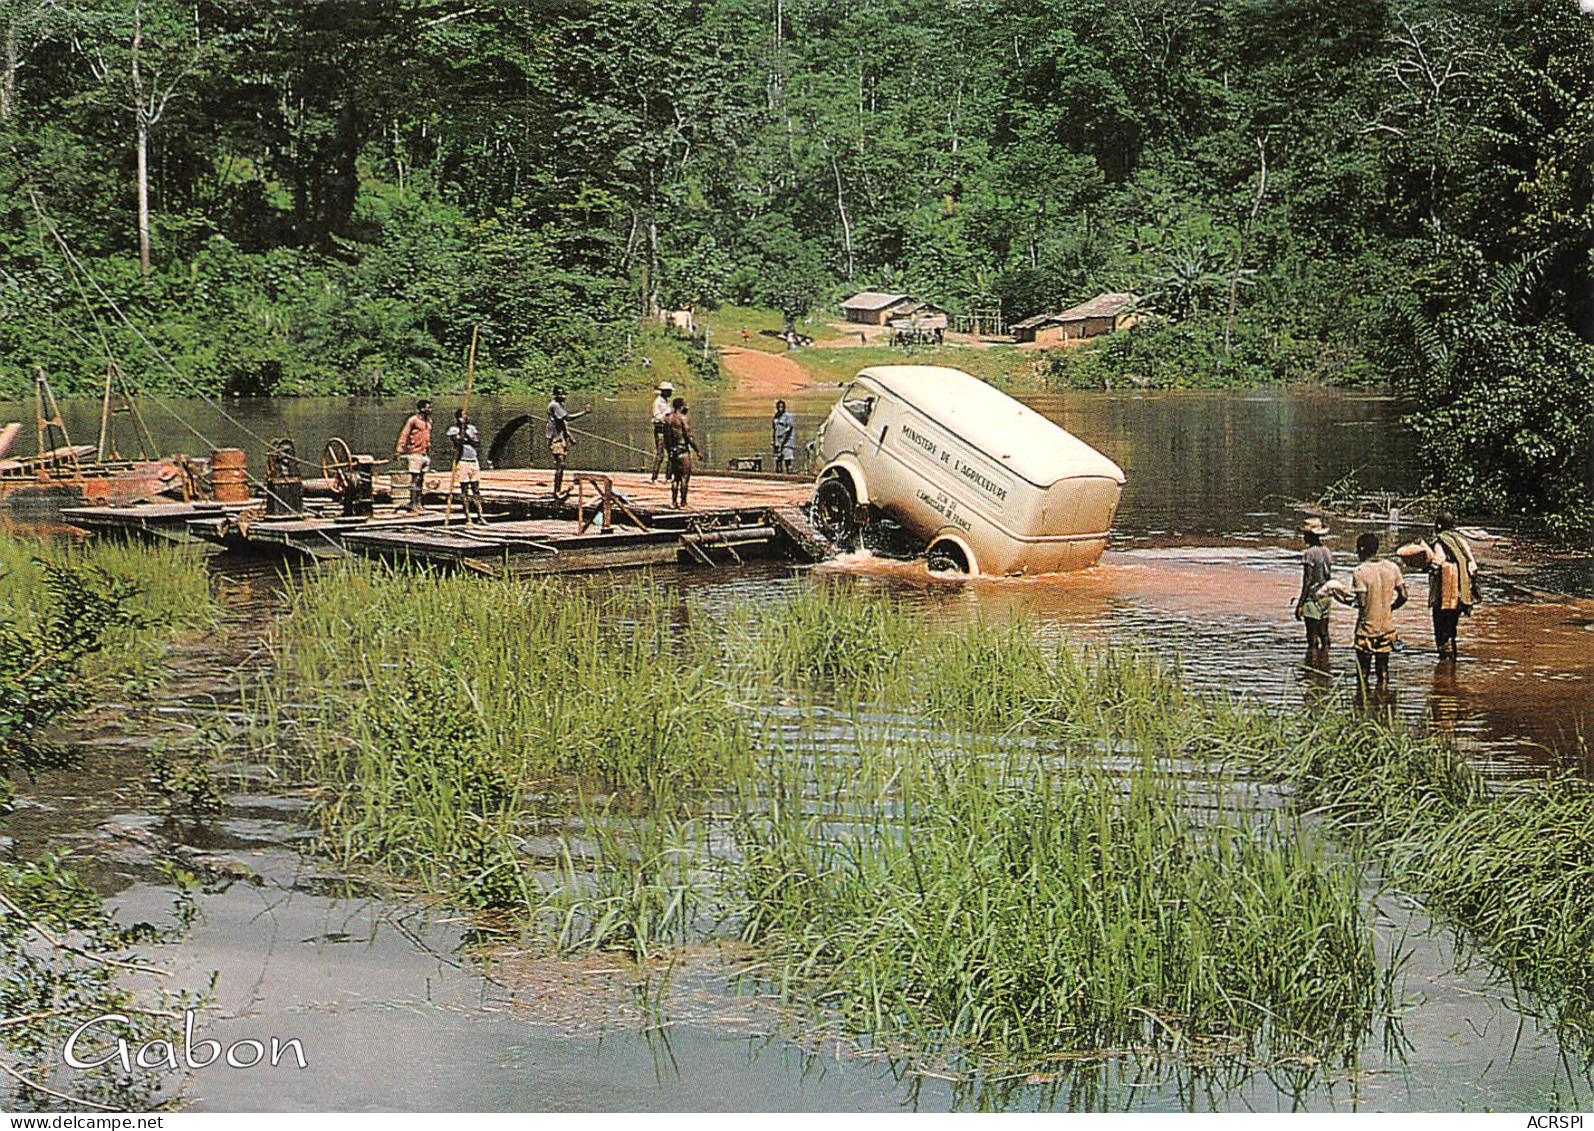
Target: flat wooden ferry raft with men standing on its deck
x,y
607,522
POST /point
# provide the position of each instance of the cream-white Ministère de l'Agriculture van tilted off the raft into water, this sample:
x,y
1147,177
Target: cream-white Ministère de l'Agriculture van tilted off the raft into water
x,y
987,485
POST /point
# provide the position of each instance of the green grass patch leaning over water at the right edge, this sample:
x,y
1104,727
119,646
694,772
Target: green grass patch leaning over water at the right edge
x,y
1514,866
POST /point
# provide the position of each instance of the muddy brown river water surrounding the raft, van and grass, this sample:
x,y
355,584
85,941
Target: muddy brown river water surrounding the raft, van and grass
x,y
396,1011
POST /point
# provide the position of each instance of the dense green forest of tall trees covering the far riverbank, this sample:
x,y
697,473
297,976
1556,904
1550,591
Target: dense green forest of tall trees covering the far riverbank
x,y
321,197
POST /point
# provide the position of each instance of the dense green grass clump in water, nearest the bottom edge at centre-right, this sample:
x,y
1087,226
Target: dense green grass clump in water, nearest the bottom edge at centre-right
x,y
1005,906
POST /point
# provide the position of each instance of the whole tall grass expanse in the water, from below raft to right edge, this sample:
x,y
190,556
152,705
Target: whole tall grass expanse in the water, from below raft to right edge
x,y
954,832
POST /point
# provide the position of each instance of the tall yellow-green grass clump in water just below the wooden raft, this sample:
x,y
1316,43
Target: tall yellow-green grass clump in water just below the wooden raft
x,y
439,711
